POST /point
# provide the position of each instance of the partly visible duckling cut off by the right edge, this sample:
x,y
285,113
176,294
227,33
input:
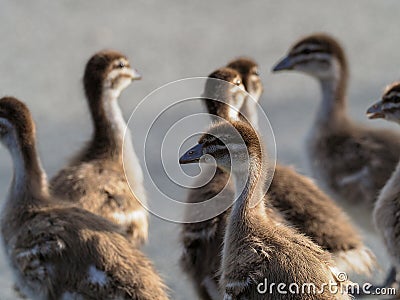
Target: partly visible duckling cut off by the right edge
x,y
387,207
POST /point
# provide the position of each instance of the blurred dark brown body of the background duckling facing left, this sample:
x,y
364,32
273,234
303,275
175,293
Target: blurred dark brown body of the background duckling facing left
x,y
356,163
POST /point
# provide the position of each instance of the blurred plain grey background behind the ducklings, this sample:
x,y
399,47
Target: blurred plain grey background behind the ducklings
x,y
45,45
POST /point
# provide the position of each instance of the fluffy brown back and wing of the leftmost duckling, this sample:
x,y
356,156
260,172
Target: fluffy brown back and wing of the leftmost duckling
x,y
69,251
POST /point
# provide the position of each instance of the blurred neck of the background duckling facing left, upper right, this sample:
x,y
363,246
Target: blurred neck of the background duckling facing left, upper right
x,y
332,109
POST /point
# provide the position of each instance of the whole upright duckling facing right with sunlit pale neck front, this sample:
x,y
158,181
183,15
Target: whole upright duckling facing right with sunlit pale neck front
x,y
95,178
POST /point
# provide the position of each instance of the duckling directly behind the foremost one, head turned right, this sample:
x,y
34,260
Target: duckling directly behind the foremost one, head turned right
x,y
202,241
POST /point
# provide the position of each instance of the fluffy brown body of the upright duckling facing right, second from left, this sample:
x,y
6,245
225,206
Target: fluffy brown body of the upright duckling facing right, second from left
x,y
104,191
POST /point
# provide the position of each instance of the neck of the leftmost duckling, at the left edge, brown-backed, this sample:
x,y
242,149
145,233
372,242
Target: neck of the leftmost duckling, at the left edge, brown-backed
x,y
28,177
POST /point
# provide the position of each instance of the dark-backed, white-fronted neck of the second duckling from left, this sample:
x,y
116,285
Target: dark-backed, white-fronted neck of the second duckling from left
x,y
109,126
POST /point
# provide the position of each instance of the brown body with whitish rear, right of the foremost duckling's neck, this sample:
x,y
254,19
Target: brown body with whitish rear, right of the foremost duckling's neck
x,y
315,214
